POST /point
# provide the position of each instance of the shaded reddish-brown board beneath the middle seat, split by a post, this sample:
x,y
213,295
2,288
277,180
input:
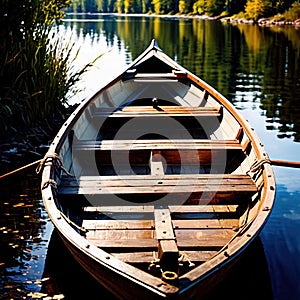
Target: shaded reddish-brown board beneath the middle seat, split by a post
x,y
181,159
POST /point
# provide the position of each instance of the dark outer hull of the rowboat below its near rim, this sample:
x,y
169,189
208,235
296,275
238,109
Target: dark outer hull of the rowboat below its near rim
x,y
124,288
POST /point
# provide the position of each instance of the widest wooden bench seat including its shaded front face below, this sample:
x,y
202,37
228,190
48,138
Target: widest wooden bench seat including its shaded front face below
x,y
185,187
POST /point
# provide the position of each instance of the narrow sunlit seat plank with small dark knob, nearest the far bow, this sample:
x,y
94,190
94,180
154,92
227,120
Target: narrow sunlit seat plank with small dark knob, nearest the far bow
x,y
160,111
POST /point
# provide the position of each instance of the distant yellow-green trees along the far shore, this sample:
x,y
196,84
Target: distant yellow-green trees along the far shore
x,y
252,9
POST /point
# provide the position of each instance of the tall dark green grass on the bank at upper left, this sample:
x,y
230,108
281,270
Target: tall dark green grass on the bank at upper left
x,y
35,72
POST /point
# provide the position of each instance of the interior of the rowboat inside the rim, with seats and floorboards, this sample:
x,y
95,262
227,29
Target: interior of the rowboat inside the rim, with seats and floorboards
x,y
160,172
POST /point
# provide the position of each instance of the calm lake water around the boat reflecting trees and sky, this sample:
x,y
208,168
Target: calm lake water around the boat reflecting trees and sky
x,y
257,68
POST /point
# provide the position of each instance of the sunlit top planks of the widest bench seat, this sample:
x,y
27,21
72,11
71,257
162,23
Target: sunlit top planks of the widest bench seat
x,y
147,184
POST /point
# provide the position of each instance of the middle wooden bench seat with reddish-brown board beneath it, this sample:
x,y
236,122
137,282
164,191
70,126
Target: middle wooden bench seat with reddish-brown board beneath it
x,y
180,152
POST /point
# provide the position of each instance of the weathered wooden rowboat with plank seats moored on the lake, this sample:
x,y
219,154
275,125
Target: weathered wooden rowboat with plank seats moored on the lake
x,y
157,184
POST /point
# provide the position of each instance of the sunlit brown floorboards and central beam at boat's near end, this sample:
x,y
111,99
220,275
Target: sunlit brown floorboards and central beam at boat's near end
x,y
203,234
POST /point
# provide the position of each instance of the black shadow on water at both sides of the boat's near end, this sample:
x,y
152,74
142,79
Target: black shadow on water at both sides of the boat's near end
x,y
248,278
